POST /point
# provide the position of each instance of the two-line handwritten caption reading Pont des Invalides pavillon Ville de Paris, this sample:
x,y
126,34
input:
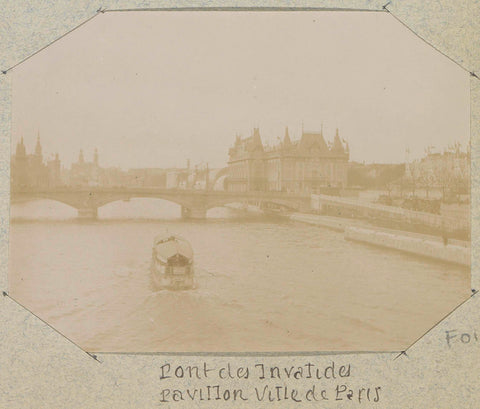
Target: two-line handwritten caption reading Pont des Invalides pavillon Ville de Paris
x,y
263,383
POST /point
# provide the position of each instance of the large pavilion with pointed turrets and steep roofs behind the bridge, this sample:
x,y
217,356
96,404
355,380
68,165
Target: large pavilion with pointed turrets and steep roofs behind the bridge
x,y
304,166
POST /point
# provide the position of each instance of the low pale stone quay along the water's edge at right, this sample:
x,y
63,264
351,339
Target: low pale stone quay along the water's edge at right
x,y
455,251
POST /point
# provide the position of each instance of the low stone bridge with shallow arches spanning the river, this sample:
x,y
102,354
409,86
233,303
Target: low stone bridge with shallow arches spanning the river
x,y
194,203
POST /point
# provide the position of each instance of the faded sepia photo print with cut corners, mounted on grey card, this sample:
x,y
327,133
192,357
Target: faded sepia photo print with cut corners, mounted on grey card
x,y
234,181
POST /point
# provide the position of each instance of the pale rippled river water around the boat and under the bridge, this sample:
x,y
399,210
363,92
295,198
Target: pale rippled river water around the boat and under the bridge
x,y
262,284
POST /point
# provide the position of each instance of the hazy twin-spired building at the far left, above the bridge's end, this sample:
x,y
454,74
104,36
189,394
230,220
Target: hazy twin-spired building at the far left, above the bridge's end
x,y
30,170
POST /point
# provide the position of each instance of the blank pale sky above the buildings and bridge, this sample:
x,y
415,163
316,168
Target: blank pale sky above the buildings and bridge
x,y
151,89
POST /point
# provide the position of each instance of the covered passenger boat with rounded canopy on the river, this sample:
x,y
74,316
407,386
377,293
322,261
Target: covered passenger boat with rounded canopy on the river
x,y
172,263
